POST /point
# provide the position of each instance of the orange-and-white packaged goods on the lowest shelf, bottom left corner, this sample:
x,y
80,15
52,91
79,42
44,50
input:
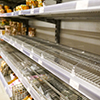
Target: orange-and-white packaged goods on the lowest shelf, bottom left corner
x,y
12,84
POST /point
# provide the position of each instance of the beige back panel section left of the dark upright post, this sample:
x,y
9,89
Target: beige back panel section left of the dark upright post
x,y
44,30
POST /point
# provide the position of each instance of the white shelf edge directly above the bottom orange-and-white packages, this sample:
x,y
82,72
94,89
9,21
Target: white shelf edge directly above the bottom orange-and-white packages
x,y
24,81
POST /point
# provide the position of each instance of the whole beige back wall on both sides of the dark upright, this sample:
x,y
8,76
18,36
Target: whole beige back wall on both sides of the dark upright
x,y
82,35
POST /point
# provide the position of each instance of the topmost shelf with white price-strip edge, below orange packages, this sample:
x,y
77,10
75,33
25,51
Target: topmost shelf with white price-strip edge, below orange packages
x,y
61,10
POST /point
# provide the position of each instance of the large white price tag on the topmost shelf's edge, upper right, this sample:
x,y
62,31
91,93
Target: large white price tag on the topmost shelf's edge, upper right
x,y
83,4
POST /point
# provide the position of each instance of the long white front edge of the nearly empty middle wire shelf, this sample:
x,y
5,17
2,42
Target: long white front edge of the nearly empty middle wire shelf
x,y
87,89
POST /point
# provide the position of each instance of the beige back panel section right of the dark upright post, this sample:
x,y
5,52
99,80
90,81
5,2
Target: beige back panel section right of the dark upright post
x,y
84,35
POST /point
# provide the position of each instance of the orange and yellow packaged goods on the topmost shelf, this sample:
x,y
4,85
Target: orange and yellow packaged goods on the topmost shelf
x,y
29,4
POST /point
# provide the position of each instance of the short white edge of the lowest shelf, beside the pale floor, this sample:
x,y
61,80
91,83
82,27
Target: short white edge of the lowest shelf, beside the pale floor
x,y
9,92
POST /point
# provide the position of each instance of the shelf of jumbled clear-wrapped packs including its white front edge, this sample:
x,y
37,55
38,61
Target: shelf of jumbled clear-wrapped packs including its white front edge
x,y
40,83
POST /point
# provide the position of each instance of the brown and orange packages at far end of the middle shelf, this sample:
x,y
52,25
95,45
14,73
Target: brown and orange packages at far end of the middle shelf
x,y
16,28
